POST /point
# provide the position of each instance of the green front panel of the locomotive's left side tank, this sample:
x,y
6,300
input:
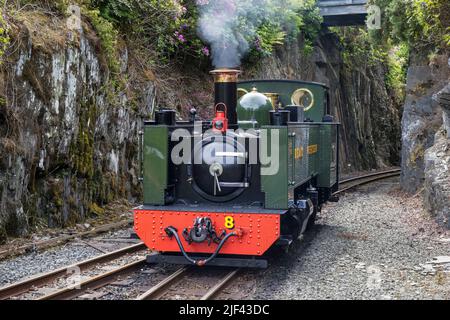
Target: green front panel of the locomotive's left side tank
x,y
156,159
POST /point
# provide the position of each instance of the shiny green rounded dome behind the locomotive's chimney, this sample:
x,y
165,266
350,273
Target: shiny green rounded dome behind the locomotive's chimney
x,y
253,110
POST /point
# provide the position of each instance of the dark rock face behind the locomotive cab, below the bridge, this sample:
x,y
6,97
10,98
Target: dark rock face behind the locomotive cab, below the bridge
x,y
370,132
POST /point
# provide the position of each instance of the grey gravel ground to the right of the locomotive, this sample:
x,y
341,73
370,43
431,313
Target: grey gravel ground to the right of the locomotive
x,y
374,244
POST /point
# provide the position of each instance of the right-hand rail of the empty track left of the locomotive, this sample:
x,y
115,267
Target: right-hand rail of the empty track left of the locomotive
x,y
94,283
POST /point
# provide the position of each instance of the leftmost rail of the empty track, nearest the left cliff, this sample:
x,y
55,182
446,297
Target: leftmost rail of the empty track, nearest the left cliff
x,y
26,285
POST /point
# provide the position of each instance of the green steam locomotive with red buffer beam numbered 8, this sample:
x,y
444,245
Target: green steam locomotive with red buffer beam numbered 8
x,y
223,192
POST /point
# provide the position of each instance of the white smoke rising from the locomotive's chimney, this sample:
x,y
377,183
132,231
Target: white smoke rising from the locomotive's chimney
x,y
231,27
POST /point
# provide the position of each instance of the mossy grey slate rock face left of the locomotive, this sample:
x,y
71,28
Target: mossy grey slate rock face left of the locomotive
x,y
68,140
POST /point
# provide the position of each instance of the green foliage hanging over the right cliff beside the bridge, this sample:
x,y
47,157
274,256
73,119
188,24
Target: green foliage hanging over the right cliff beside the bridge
x,y
422,26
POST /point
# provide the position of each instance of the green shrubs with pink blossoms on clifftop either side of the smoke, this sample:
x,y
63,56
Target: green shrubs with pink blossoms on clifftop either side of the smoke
x,y
169,28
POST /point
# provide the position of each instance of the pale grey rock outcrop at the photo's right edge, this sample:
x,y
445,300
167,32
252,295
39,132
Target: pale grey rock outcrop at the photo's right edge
x,y
425,137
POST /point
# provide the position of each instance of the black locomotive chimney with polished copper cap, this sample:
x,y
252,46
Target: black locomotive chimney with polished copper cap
x,y
226,92
